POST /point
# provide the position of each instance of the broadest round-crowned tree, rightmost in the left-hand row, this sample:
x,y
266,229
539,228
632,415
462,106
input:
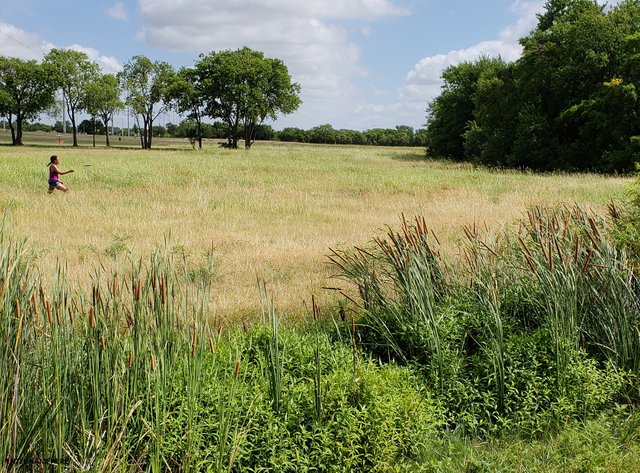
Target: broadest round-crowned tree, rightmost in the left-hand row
x,y
242,87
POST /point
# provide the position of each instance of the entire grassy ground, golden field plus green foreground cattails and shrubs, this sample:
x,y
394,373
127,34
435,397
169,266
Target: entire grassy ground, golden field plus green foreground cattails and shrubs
x,y
525,358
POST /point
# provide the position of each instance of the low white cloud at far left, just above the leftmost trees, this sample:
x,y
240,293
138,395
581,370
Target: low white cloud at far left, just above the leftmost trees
x,y
15,42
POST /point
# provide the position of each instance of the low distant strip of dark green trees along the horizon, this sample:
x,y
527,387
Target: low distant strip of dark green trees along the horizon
x,y
324,134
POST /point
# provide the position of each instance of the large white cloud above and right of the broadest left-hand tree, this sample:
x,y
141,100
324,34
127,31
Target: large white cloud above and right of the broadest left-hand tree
x,y
318,51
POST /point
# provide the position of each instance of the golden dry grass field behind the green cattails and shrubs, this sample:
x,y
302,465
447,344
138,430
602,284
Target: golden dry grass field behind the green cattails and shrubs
x,y
271,213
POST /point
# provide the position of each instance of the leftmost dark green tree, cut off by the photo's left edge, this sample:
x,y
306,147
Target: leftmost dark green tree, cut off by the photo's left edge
x,y
26,89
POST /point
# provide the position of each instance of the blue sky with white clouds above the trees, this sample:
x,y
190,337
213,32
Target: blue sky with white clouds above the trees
x,y
361,64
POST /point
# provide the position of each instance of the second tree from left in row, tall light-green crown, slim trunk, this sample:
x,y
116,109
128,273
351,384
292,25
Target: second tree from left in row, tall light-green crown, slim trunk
x,y
74,71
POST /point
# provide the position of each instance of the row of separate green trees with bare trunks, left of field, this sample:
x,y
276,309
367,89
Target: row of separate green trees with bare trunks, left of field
x,y
242,88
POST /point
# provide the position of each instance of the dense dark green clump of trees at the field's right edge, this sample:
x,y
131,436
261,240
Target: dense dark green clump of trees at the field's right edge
x,y
569,103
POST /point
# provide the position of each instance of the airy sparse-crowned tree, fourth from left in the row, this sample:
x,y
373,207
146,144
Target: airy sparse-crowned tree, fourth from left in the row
x,y
148,88
